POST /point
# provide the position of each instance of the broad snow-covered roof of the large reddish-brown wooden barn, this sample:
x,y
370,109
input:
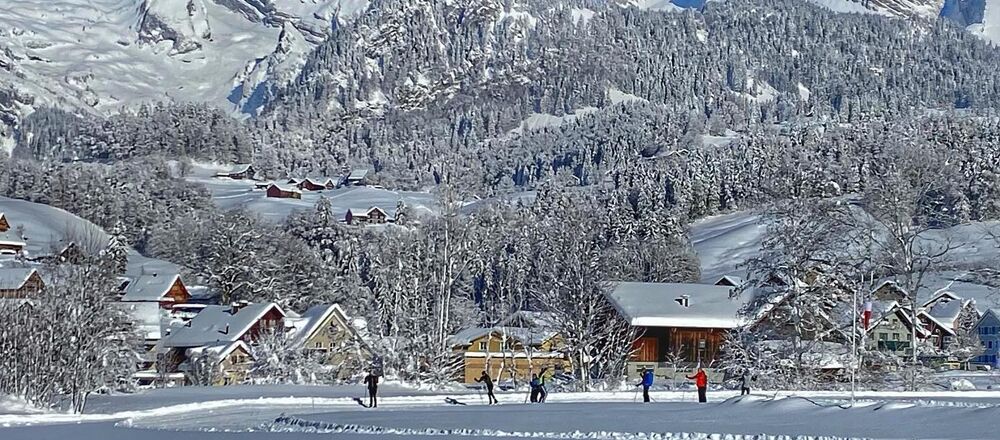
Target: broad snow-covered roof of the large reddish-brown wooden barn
x,y
660,305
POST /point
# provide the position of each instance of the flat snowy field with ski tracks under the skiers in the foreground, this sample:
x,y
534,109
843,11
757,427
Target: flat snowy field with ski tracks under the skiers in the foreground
x,y
302,412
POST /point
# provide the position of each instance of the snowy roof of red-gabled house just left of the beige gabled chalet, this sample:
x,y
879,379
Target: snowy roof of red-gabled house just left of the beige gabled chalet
x,y
218,323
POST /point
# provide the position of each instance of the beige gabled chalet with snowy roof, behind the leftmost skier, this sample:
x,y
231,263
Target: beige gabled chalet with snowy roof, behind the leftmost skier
x,y
327,330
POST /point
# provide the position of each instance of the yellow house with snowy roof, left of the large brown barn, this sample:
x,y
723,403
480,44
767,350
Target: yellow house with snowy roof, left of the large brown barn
x,y
516,347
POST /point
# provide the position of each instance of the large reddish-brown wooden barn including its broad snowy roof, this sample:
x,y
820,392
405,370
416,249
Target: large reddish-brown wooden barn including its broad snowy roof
x,y
686,322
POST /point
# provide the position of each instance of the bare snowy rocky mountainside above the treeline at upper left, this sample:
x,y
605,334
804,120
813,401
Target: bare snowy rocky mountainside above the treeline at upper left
x,y
95,55
